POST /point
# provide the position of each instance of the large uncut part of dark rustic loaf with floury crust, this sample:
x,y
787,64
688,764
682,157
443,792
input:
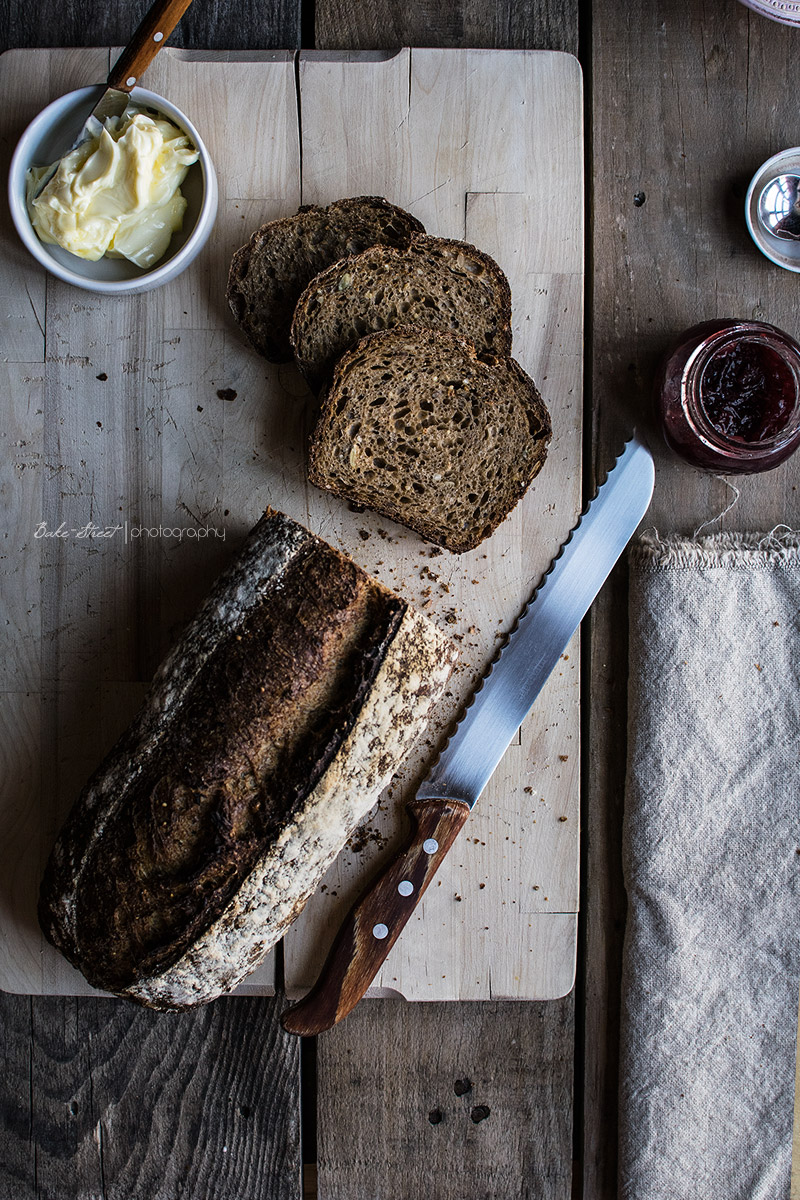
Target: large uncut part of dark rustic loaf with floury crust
x,y
268,735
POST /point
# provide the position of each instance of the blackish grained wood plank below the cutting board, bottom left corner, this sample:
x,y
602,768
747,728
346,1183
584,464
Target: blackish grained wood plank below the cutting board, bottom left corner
x,y
104,1100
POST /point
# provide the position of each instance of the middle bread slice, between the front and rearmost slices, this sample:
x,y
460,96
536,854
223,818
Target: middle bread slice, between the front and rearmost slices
x,y
432,283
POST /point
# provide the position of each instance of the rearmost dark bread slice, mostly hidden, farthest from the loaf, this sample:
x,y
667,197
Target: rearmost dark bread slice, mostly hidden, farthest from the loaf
x,y
268,275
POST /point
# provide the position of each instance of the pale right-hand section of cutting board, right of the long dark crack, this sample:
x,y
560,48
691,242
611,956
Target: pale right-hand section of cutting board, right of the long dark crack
x,y
501,920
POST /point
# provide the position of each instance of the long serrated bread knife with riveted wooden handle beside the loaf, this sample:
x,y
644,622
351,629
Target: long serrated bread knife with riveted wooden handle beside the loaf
x,y
488,725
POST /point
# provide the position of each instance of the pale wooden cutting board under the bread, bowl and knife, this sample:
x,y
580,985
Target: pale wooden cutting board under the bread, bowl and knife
x,y
152,415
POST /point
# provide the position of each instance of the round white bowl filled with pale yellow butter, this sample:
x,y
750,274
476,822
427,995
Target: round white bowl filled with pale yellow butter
x,y
123,213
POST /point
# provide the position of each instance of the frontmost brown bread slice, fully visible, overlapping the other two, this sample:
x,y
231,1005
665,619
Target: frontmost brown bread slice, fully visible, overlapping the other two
x,y
416,427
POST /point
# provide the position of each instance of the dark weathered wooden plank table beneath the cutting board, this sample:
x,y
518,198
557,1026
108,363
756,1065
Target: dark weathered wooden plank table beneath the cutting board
x,y
452,1101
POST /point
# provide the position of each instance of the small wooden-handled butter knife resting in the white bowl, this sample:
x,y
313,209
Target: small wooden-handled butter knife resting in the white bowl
x,y
153,33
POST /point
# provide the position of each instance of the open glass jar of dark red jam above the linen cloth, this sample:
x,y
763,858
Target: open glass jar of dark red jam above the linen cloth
x,y
729,397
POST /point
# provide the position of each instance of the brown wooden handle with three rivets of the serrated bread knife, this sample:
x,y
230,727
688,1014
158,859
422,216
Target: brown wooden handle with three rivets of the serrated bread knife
x,y
377,920
